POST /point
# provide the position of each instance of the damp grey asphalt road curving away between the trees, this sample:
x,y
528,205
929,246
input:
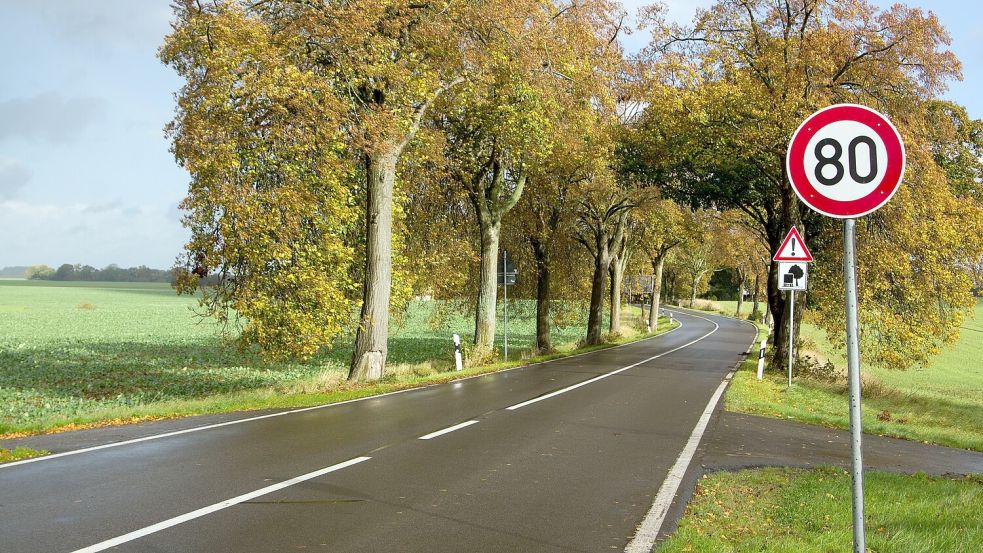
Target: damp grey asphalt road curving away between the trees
x,y
561,456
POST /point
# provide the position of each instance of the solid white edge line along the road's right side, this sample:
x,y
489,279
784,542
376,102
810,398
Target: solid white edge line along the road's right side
x,y
648,531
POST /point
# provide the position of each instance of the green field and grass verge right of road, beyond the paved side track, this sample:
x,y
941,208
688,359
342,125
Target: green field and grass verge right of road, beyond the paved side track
x,y
941,403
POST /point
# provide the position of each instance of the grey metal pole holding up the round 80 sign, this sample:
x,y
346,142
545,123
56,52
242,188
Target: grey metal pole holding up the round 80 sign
x,y
853,368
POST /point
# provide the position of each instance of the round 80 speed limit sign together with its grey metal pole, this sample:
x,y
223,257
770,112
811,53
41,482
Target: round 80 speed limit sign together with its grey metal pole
x,y
846,187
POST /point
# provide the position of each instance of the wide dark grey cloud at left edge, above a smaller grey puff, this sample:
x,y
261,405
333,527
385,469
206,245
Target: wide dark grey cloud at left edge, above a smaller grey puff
x,y
49,117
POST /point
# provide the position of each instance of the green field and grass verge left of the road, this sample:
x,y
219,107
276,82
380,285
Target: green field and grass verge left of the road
x,y
89,354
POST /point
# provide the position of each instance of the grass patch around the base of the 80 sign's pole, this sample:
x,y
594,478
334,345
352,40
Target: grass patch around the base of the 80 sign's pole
x,y
809,511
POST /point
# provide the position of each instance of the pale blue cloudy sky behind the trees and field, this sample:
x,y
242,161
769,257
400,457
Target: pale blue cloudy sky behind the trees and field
x,y
86,175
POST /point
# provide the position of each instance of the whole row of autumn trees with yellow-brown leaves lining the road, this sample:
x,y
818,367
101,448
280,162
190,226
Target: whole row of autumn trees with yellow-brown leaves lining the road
x,y
348,155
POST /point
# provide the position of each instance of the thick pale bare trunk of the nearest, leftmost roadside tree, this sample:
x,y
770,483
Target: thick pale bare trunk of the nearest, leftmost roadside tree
x,y
371,348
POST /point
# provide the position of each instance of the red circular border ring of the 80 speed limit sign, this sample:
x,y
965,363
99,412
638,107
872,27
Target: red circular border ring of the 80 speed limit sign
x,y
861,206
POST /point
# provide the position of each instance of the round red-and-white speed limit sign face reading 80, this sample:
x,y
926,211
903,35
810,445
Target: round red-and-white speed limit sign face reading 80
x,y
845,161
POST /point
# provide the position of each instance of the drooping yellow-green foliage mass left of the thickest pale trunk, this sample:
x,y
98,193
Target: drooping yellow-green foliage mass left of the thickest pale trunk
x,y
267,205
